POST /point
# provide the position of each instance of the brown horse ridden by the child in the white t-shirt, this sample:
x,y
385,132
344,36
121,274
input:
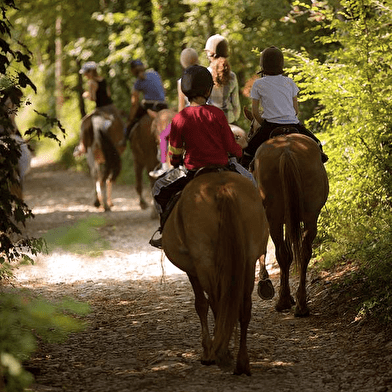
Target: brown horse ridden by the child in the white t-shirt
x,y
294,187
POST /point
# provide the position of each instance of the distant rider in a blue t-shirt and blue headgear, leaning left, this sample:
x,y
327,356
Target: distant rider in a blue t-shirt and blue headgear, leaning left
x,y
148,83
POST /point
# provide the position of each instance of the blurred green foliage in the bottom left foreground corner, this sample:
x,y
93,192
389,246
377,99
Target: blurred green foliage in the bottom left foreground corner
x,y
24,320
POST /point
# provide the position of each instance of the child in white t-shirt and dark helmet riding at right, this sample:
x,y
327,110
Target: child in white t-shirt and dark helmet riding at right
x,y
277,95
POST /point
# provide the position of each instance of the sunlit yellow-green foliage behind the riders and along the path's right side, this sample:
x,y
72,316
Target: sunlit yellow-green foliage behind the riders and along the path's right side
x,y
338,52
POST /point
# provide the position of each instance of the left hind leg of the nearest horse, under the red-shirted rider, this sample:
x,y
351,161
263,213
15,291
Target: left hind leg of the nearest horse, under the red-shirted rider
x,y
201,306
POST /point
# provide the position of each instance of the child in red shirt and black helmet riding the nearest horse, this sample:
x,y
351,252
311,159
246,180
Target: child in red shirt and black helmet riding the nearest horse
x,y
200,136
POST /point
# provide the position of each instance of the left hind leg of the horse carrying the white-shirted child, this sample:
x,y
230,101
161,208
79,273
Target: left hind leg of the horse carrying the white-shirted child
x,y
284,257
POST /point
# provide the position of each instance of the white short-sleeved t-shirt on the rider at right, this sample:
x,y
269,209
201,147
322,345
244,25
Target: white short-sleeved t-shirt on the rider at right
x,y
276,93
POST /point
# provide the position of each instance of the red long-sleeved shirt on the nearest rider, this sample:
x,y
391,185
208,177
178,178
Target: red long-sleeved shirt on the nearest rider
x,y
205,135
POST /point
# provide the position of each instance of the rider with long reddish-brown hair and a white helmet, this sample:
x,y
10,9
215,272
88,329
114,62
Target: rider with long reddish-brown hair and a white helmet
x,y
225,92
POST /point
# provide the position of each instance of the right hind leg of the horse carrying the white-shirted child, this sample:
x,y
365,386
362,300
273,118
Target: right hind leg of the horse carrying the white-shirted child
x,y
301,309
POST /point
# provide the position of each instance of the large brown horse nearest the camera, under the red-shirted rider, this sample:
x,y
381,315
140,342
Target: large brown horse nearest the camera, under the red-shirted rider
x,y
215,233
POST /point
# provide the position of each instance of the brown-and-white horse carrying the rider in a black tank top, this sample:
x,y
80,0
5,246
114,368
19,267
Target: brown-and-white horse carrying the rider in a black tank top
x,y
101,134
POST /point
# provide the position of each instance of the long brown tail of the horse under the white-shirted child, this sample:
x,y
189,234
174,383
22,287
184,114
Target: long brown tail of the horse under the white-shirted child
x,y
293,203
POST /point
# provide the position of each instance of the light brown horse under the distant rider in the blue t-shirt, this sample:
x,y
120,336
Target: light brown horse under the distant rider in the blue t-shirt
x,y
144,146
